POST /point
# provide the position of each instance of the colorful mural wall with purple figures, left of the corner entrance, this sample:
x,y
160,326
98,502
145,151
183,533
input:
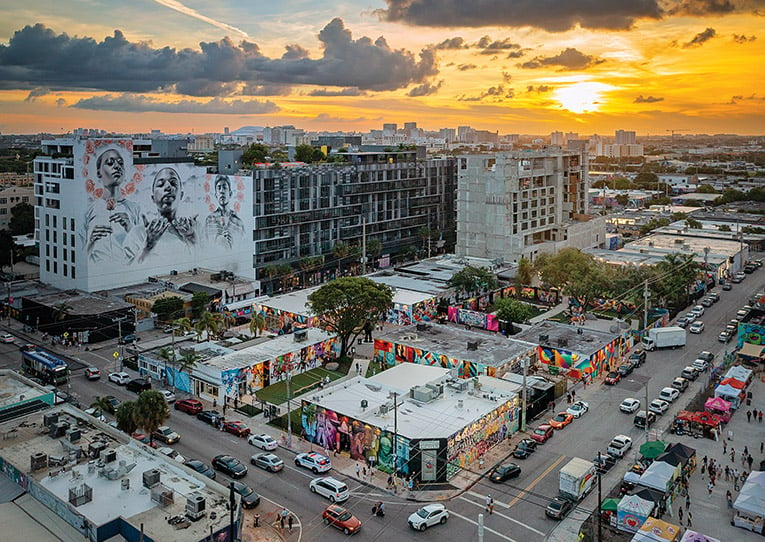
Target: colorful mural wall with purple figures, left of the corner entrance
x,y
331,430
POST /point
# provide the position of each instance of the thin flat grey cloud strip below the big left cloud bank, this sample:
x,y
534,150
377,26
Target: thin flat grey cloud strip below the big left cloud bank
x,y
138,103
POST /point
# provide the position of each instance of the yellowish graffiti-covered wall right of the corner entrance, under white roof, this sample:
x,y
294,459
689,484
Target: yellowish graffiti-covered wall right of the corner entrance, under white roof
x,y
473,441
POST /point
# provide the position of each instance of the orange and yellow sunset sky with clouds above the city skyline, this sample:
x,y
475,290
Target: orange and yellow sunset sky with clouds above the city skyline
x,y
513,66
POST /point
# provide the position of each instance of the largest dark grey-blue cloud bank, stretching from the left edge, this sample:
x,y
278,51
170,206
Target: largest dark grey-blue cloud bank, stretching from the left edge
x,y
35,57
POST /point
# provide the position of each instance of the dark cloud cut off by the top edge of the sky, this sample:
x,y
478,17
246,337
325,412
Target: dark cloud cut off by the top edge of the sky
x,y
551,15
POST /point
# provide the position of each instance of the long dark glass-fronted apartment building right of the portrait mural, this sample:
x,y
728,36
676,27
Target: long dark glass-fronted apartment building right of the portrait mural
x,y
303,211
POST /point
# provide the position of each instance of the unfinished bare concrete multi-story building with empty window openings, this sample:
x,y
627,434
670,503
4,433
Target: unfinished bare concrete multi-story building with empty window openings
x,y
520,204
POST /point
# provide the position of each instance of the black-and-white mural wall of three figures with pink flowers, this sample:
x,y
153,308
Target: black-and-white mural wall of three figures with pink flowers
x,y
143,219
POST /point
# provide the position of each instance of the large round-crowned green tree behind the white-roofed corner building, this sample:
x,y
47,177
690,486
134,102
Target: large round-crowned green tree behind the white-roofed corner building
x,y
345,304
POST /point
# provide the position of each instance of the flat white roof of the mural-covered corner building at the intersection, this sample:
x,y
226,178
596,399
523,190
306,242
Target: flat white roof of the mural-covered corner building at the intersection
x,y
440,418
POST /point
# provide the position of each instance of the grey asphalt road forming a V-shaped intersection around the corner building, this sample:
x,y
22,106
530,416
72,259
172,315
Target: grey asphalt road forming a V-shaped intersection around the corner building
x,y
519,503
